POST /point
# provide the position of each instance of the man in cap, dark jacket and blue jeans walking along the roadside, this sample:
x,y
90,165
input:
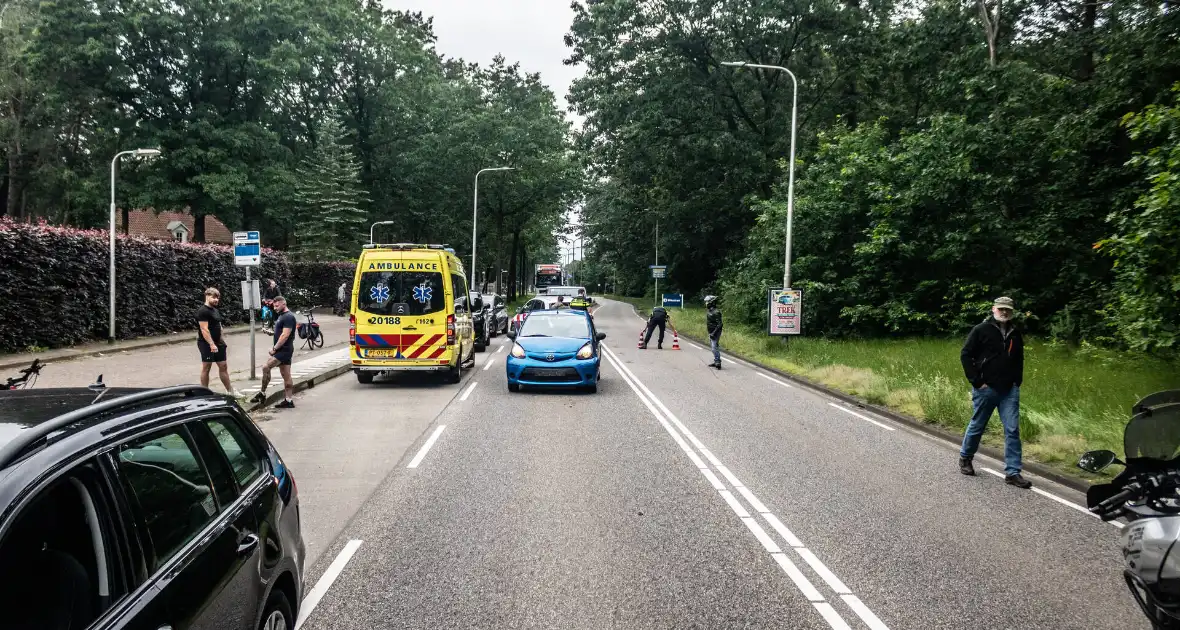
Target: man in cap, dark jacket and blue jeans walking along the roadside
x,y
994,364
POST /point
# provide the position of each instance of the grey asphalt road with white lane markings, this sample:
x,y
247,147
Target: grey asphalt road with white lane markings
x,y
676,497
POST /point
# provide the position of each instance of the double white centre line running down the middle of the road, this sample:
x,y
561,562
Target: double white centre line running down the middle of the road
x,y
667,419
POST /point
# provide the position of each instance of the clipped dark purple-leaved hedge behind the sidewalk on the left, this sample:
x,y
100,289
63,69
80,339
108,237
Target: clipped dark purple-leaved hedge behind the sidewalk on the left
x,y
55,285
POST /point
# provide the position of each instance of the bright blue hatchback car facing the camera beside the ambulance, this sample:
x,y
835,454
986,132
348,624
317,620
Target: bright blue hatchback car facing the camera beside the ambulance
x,y
555,349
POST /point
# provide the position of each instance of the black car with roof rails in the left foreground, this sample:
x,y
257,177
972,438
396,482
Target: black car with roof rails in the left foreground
x,y
145,510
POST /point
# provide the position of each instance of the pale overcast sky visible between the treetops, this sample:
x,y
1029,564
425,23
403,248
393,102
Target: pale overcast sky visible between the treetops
x,y
527,31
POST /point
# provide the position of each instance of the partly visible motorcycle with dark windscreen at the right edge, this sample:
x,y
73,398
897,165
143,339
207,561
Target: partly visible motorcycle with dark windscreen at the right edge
x,y
1148,494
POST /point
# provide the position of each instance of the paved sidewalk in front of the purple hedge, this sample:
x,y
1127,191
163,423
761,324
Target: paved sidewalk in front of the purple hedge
x,y
174,360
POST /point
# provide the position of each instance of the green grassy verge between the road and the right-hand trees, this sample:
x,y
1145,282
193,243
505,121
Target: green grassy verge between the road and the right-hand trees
x,y
1073,399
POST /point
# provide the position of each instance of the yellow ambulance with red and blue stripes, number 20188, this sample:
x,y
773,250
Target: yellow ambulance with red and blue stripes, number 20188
x,y
410,312
